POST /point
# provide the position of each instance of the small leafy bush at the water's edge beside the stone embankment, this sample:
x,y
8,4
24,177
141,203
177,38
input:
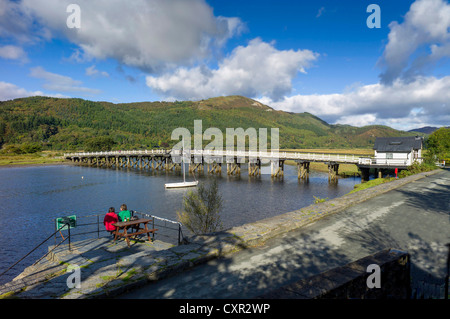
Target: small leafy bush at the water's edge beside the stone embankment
x,y
201,209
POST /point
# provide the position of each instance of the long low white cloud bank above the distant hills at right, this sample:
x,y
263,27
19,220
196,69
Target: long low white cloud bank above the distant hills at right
x,y
424,101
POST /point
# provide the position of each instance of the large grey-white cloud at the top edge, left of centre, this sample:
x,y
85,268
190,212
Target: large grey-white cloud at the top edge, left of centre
x,y
150,35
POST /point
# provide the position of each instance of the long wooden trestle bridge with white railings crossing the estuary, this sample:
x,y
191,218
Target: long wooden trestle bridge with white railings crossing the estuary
x,y
213,160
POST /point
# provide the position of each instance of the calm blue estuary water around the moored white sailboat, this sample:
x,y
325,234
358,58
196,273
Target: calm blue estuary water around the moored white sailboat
x,y
32,197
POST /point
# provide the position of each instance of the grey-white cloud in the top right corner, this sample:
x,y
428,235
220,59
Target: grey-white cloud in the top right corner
x,y
416,45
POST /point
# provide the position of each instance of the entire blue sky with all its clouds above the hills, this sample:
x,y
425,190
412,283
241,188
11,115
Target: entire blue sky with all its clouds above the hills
x,y
347,62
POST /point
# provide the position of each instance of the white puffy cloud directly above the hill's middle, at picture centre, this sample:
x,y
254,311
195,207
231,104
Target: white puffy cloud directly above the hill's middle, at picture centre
x,y
254,70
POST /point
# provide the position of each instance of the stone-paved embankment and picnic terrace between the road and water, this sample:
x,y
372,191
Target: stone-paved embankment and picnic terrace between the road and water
x,y
126,269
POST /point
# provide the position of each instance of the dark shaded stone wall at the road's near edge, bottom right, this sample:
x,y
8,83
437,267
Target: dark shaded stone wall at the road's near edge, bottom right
x,y
350,281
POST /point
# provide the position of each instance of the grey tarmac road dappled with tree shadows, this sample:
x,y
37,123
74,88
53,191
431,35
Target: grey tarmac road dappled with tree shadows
x,y
414,218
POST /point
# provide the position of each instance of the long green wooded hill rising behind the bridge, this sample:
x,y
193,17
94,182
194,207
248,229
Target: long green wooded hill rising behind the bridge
x,y
77,124
